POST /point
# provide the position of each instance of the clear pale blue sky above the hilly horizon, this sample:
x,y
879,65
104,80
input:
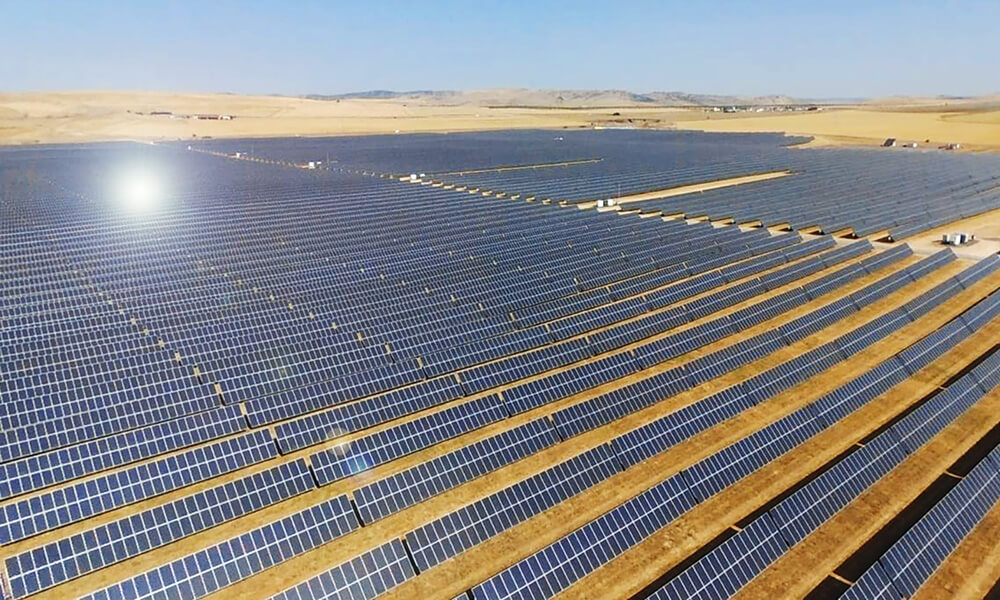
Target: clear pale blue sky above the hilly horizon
x,y
805,48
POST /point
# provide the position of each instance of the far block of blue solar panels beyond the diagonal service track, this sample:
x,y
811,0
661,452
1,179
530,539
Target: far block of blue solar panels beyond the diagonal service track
x,y
868,191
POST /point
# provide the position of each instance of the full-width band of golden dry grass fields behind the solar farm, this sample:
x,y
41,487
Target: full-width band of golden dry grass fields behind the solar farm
x,y
29,118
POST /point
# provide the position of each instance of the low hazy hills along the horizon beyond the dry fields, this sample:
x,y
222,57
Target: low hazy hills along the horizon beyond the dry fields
x,y
562,98
